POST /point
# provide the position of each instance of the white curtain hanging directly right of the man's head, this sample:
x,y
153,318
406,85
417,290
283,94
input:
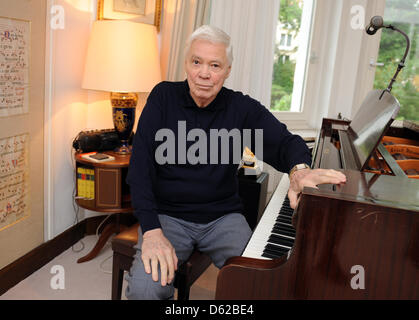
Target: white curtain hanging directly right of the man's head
x,y
251,25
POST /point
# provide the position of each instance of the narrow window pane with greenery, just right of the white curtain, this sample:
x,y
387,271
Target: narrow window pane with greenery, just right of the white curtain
x,y
291,53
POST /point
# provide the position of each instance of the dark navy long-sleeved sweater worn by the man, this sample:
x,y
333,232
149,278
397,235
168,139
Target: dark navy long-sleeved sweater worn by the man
x,y
199,192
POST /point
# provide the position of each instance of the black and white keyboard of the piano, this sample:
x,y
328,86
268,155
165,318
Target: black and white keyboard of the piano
x,y
274,235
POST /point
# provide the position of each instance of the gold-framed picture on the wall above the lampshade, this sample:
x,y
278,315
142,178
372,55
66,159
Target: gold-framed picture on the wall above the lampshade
x,y
144,11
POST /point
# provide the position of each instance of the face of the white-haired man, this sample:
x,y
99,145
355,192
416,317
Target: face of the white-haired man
x,y
206,68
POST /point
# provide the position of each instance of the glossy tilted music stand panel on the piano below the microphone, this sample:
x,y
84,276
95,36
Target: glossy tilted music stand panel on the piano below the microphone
x,y
371,122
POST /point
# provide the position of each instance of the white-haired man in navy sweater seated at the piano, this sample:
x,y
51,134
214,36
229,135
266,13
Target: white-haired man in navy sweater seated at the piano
x,y
181,205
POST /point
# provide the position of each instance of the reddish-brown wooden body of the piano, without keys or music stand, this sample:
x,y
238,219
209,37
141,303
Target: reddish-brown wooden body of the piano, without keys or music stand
x,y
359,240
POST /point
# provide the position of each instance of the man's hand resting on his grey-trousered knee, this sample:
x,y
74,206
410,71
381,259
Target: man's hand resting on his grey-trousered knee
x,y
157,250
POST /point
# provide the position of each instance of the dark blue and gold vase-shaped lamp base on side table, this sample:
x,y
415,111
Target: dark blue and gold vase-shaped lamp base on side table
x,y
123,111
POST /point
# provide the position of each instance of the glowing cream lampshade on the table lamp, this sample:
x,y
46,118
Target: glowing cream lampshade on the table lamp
x,y
122,56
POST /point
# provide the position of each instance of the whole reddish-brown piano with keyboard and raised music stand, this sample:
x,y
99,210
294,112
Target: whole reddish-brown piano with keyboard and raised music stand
x,y
359,240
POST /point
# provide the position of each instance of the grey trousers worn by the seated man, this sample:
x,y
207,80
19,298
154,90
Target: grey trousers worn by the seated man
x,y
220,239
